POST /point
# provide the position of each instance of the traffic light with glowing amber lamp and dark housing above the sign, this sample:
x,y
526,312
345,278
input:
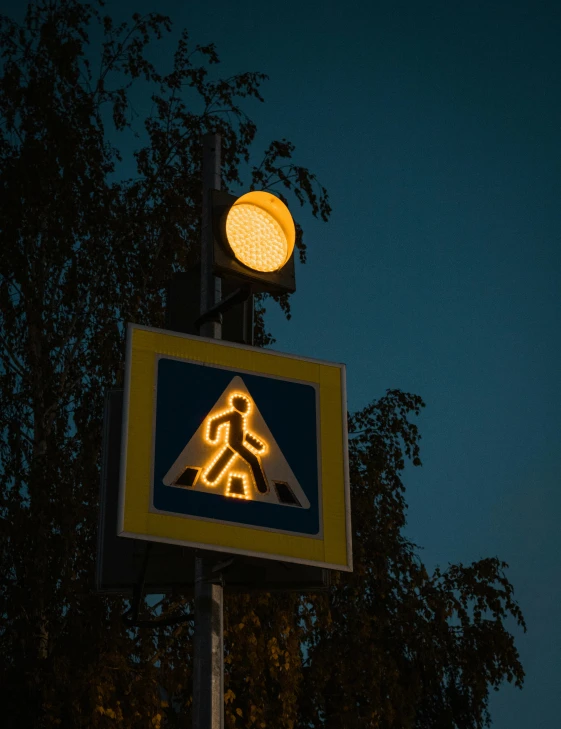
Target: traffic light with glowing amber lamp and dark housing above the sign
x,y
254,241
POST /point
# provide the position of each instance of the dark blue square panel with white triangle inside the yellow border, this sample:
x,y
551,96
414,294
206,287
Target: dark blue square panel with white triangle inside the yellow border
x,y
236,447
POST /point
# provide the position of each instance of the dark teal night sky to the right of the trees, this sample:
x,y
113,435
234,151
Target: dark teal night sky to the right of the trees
x,y
436,128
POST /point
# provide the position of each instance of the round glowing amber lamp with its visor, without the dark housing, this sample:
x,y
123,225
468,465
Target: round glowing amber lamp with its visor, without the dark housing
x,y
260,231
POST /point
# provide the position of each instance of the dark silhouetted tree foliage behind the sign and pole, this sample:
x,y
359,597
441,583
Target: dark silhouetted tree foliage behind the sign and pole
x,y
85,249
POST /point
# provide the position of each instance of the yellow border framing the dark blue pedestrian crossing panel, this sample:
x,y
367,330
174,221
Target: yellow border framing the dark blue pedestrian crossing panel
x,y
136,519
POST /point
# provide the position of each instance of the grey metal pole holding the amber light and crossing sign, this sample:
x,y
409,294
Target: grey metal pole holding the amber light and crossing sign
x,y
208,679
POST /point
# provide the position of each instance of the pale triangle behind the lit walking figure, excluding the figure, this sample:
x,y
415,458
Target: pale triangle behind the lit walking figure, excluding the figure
x,y
199,453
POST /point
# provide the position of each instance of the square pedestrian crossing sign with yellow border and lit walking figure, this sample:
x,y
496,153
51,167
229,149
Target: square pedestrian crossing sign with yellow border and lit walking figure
x,y
234,448
